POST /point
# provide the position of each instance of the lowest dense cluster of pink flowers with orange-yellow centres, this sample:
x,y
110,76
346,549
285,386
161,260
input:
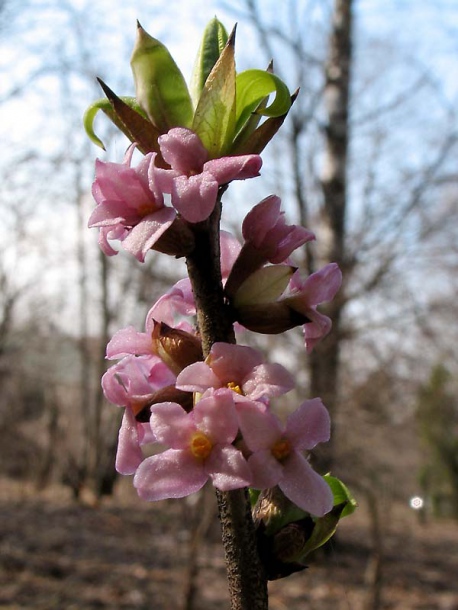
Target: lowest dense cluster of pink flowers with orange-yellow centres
x,y
230,436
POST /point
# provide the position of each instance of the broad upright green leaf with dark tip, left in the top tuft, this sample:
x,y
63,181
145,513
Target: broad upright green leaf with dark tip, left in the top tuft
x,y
160,86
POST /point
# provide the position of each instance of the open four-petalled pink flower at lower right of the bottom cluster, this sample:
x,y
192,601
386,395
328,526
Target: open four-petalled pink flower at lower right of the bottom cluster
x,y
277,453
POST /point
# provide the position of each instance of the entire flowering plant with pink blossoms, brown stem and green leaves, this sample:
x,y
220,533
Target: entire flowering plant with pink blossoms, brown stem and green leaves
x,y
201,401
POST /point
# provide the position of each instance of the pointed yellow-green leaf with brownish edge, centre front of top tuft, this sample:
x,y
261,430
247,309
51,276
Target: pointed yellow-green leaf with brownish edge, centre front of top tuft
x,y
214,118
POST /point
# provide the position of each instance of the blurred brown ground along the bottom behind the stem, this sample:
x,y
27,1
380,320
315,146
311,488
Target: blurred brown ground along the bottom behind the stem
x,y
125,554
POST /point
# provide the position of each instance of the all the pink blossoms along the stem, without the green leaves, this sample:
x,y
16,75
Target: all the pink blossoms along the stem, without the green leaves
x,y
211,418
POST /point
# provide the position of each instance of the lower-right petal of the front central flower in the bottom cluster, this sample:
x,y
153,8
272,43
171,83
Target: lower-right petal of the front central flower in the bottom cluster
x,y
227,468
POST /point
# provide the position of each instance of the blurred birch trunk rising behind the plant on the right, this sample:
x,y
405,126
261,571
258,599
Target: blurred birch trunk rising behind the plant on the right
x,y
324,361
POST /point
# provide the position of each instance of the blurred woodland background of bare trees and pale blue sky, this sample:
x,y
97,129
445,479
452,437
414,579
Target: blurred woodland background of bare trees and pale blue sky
x,y
367,159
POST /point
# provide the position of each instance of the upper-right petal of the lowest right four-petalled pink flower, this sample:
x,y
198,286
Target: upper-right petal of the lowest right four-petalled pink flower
x,y
309,425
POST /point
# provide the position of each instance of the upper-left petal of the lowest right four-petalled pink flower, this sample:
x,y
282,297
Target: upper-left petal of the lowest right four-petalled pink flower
x,y
260,428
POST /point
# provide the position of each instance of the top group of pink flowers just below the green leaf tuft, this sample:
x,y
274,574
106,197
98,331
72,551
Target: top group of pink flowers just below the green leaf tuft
x,y
131,205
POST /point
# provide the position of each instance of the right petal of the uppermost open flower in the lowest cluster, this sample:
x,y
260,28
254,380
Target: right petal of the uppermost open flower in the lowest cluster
x,y
268,380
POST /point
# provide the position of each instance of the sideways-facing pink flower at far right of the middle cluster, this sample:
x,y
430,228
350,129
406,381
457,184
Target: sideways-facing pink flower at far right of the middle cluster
x,y
305,294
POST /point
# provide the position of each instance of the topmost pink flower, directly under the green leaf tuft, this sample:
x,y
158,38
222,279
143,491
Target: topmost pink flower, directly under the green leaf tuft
x,y
194,180
